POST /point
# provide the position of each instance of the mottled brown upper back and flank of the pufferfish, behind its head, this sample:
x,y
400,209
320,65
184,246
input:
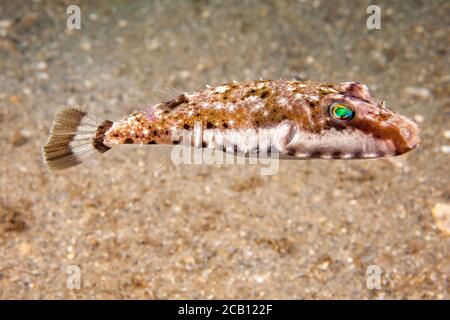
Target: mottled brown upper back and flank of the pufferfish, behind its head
x,y
255,104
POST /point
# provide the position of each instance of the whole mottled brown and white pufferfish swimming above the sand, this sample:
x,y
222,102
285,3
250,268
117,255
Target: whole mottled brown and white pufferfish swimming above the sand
x,y
300,119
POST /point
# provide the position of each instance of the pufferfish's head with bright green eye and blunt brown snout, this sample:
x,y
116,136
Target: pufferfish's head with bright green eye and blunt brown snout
x,y
358,126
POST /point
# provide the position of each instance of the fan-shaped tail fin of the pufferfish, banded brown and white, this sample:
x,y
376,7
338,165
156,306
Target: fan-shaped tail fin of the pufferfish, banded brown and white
x,y
75,136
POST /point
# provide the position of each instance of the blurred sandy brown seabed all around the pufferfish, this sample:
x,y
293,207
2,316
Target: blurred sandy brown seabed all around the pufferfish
x,y
131,230
